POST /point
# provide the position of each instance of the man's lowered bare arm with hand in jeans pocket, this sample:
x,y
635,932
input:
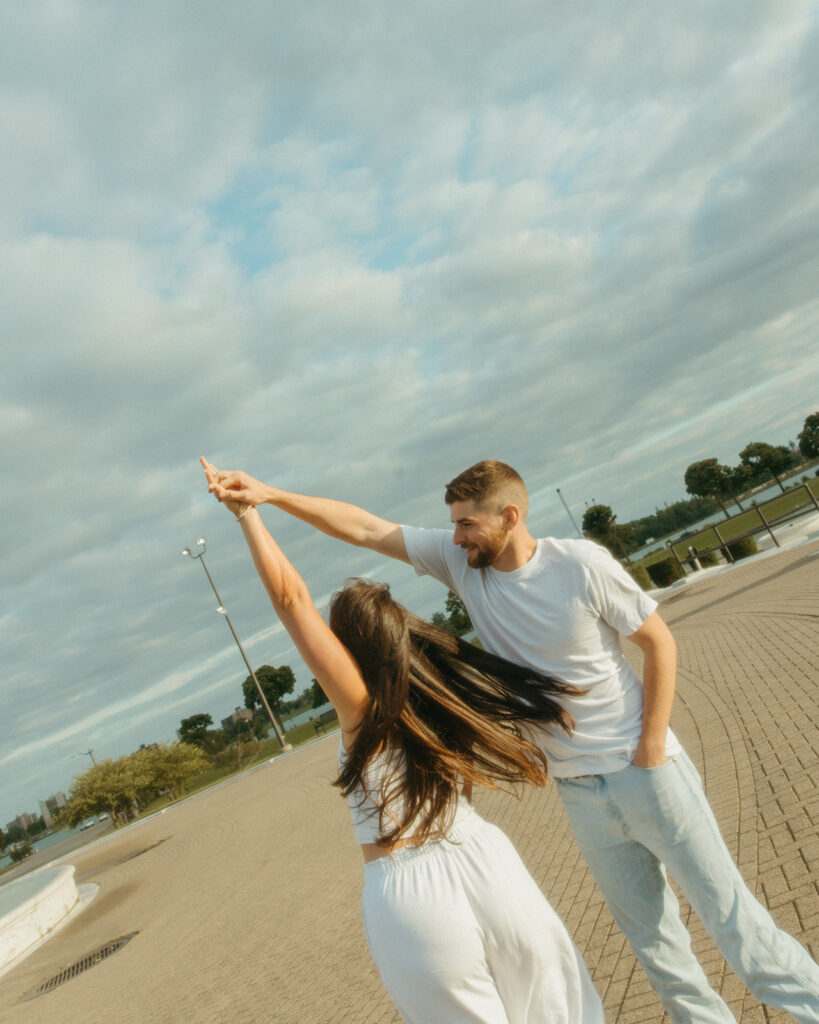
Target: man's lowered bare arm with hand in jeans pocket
x,y
660,676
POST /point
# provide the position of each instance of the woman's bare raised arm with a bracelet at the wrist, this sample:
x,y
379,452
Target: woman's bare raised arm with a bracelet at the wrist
x,y
330,662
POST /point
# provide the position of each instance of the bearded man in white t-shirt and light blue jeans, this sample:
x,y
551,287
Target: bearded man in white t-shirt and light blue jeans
x,y
633,797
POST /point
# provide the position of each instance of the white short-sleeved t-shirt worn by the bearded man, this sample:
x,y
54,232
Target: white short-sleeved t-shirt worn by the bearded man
x,y
562,614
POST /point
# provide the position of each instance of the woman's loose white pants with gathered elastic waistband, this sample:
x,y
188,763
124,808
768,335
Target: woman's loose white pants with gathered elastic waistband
x,y
461,933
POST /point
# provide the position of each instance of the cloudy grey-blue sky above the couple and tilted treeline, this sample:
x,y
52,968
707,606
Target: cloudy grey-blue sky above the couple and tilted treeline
x,y
353,249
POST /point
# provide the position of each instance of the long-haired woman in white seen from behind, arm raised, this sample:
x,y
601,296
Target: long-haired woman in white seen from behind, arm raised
x,y
456,925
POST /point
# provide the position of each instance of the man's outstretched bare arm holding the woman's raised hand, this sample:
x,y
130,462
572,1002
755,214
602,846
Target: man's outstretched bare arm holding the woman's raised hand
x,y
346,523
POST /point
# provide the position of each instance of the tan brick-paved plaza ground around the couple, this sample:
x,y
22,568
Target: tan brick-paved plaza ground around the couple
x,y
246,899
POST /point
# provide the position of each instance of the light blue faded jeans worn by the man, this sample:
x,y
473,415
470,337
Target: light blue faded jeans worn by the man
x,y
632,823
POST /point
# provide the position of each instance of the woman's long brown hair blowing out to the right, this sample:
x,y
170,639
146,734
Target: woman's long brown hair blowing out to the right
x,y
442,710
